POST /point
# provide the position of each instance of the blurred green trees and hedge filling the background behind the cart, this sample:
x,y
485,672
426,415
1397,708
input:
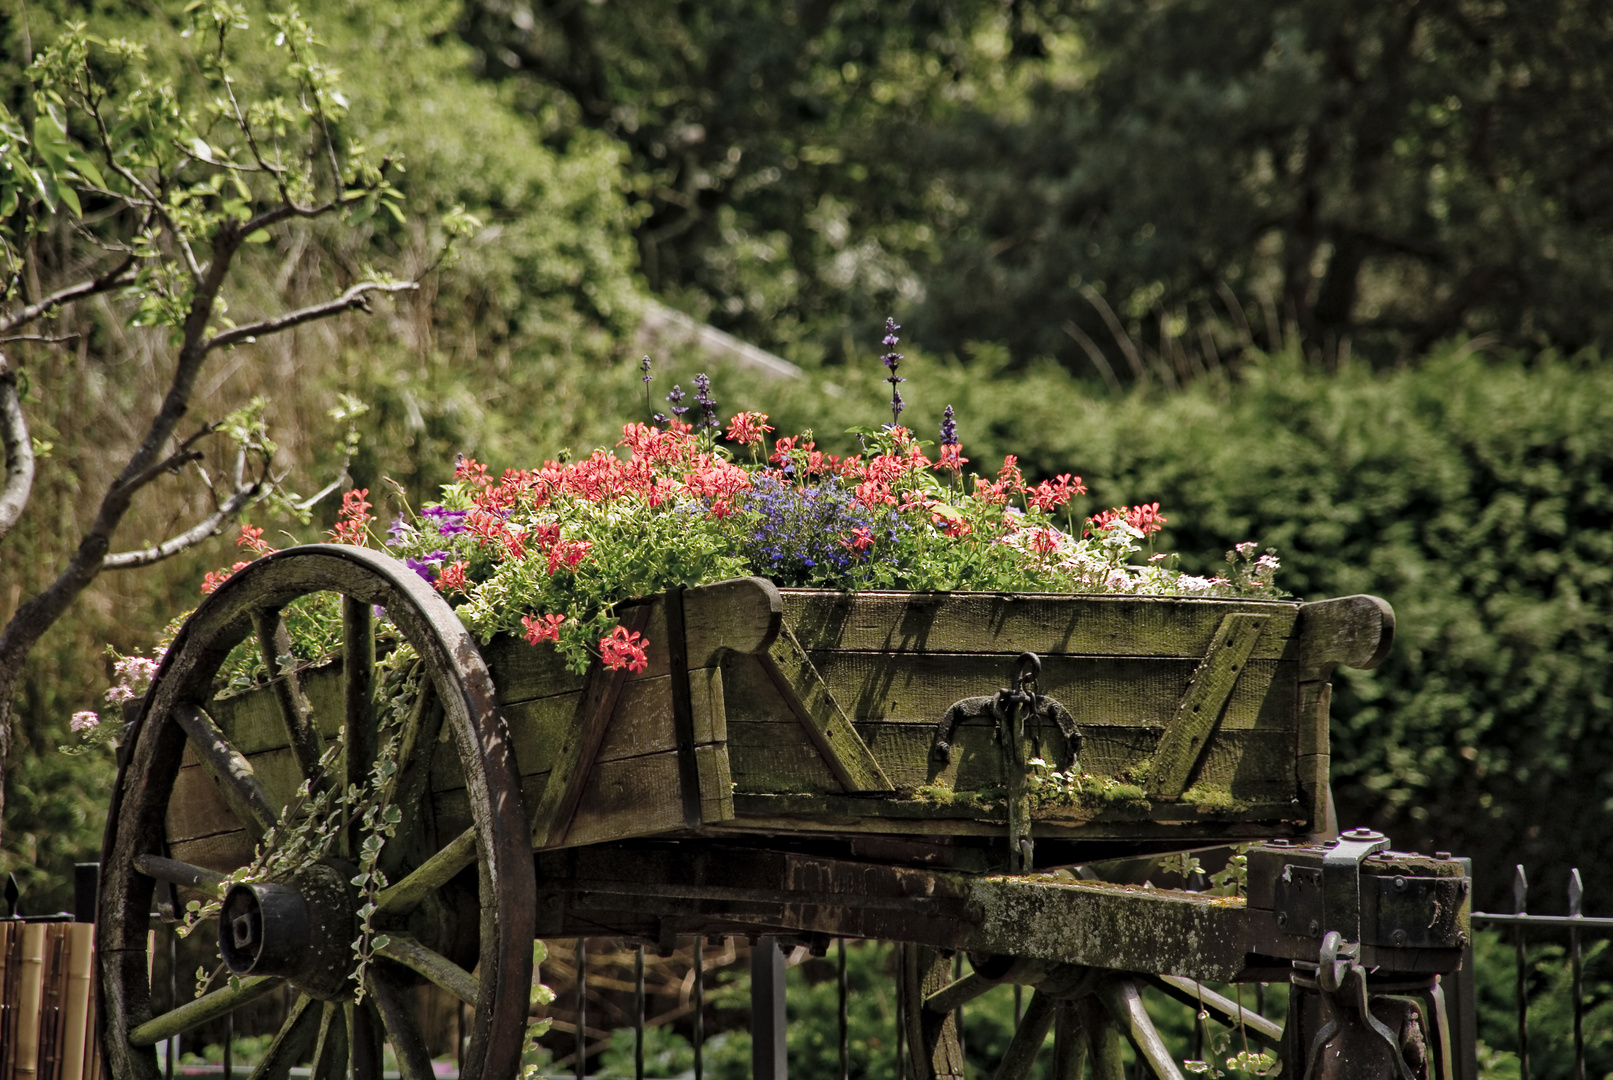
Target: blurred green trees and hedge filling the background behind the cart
x,y
1330,276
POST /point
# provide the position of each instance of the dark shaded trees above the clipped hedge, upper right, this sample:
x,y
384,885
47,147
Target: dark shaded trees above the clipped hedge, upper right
x,y
1377,177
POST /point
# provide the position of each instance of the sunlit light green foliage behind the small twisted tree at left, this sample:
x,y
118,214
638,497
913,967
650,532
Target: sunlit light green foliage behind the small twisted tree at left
x,y
520,325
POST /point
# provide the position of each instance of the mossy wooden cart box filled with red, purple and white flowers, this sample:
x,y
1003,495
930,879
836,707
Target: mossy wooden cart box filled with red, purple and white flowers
x,y
719,629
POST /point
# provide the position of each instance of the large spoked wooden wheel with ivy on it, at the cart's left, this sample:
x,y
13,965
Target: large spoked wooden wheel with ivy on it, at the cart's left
x,y
299,928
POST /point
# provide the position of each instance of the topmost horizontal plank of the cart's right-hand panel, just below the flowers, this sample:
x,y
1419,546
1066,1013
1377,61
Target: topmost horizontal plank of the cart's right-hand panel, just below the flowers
x,y
999,623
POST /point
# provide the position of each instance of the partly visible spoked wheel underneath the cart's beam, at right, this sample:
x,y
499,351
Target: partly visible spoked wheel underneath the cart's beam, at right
x,y
1090,1011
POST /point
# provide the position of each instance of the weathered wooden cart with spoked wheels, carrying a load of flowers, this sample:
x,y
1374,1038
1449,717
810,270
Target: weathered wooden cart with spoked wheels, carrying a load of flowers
x,y
902,766
